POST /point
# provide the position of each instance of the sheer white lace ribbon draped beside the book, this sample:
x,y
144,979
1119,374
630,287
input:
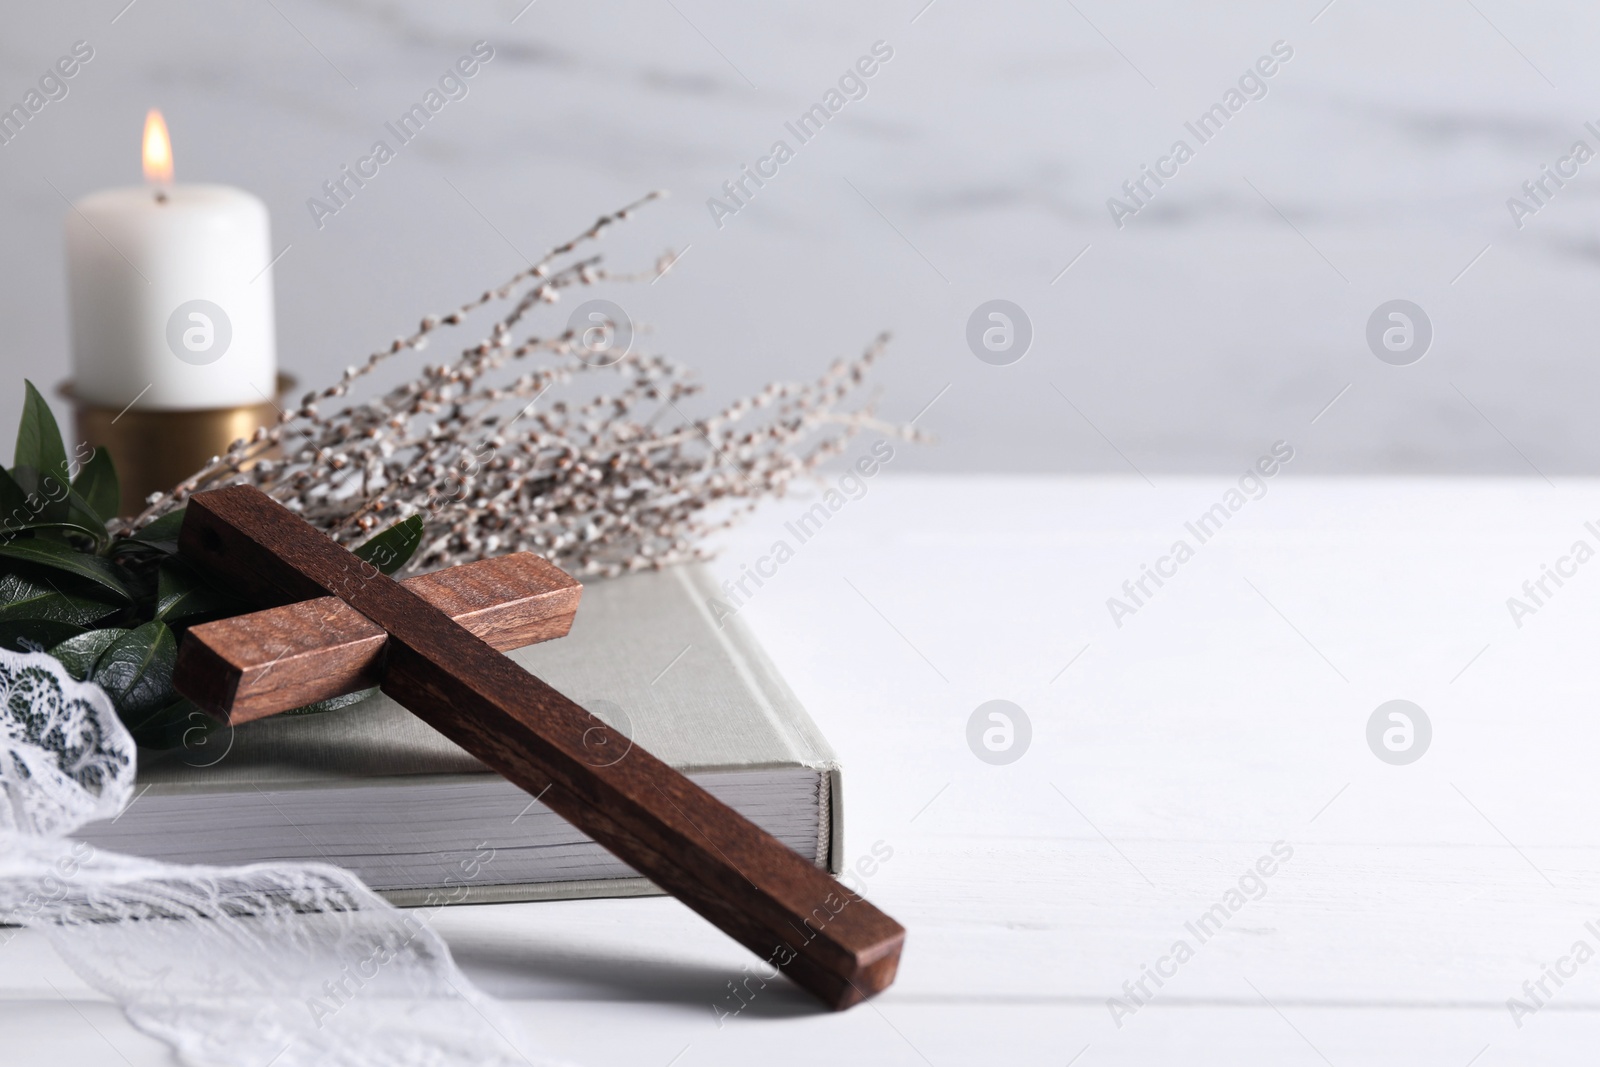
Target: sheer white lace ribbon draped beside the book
x,y
292,965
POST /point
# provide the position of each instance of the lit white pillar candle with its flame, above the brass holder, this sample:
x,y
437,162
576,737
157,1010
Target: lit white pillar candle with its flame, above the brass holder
x,y
170,290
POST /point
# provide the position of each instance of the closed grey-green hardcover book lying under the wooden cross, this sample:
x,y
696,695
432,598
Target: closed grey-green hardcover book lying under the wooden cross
x,y
375,789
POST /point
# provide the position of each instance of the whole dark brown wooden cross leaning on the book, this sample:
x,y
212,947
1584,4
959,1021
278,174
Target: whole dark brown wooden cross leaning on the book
x,y
433,644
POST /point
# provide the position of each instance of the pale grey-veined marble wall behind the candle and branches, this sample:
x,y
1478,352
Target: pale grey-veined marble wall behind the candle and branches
x,y
1223,318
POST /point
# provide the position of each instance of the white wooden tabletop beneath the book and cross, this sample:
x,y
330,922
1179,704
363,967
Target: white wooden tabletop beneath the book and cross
x,y
1167,756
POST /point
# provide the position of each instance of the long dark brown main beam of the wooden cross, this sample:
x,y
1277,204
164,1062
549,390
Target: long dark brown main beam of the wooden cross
x,y
828,940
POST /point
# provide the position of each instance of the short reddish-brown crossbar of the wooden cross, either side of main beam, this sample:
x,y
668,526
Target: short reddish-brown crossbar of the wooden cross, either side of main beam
x,y
273,661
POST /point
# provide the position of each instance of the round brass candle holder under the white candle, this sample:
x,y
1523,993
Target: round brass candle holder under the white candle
x,y
156,450
